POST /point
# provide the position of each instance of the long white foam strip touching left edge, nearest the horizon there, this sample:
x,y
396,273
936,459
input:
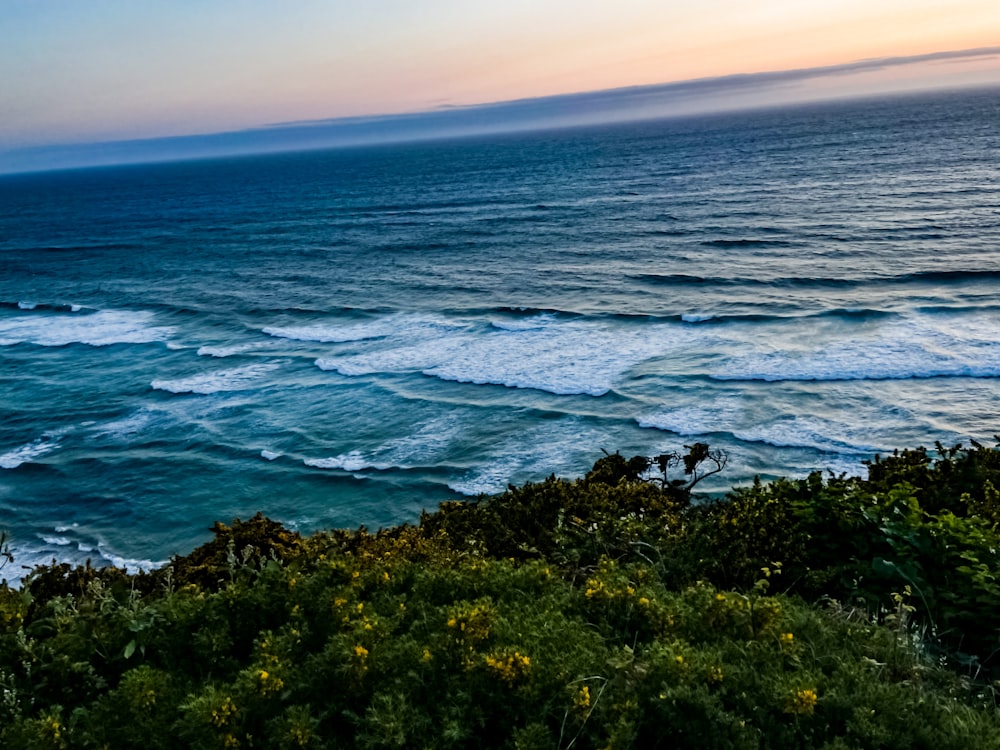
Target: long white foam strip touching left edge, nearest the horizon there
x,y
96,329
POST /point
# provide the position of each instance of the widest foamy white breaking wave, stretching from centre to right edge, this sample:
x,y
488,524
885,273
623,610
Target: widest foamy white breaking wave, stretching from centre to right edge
x,y
593,355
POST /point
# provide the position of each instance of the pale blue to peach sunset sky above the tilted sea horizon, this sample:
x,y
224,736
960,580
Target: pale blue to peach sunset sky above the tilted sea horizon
x,y
113,71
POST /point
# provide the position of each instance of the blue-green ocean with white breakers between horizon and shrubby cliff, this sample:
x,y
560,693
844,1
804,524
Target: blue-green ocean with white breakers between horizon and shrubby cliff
x,y
345,337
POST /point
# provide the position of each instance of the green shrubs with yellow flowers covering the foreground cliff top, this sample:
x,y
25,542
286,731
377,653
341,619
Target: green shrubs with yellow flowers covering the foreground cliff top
x,y
606,612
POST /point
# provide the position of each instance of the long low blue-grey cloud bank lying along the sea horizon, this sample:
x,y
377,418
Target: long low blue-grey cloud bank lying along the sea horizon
x,y
563,110
